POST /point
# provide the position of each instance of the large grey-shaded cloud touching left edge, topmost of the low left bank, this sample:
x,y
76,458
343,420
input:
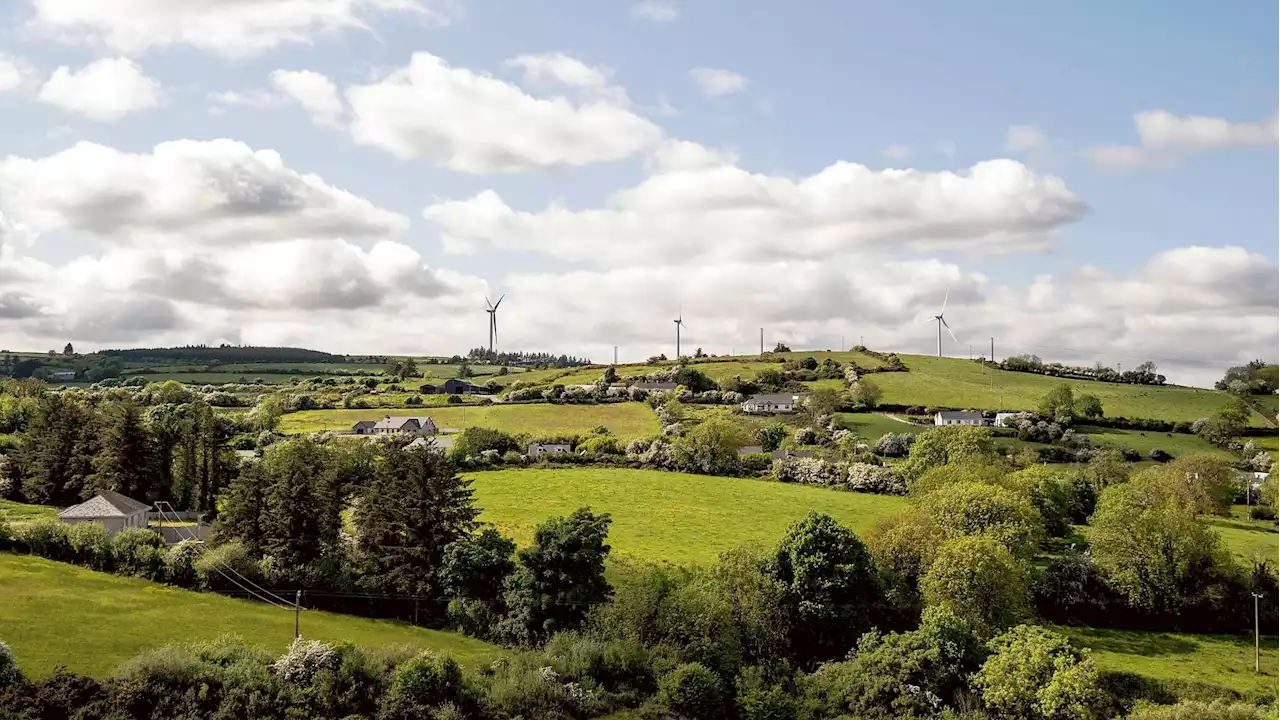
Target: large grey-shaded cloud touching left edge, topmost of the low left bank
x,y
208,193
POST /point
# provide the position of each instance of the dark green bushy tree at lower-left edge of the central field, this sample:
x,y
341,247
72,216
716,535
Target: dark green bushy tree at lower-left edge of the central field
x,y
559,580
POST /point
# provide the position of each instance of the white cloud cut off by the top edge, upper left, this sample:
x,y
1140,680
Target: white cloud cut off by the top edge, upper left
x,y
231,29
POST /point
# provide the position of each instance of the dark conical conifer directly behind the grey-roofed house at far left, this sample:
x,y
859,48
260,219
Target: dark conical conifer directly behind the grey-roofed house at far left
x,y
126,458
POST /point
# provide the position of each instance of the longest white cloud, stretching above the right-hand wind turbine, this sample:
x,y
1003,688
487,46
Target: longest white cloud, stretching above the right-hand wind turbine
x,y
700,206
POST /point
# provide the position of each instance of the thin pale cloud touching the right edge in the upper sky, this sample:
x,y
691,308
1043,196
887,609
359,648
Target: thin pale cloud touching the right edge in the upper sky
x,y
1165,138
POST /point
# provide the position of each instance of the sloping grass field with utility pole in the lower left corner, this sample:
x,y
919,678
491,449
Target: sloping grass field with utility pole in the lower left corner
x,y
58,614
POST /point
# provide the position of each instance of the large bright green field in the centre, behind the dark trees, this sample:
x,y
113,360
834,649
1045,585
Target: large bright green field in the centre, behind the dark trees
x,y
668,517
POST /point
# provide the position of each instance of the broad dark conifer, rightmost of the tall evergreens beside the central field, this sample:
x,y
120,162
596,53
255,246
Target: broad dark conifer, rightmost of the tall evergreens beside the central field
x,y
413,509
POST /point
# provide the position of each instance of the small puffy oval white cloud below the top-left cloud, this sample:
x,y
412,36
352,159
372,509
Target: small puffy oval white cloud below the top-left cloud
x,y
104,90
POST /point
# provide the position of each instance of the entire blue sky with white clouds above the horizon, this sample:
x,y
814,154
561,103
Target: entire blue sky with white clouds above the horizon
x,y
1090,183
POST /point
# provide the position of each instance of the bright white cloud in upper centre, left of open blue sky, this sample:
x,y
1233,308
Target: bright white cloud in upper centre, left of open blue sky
x,y
429,111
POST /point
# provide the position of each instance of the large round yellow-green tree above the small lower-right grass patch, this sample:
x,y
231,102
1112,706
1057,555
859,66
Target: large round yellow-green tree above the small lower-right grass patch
x,y
1151,548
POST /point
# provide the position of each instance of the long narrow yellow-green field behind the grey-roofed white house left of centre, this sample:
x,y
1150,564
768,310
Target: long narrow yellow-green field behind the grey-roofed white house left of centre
x,y
628,421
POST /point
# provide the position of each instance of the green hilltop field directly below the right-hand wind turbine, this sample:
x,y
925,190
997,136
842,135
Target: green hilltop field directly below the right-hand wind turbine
x,y
962,384
